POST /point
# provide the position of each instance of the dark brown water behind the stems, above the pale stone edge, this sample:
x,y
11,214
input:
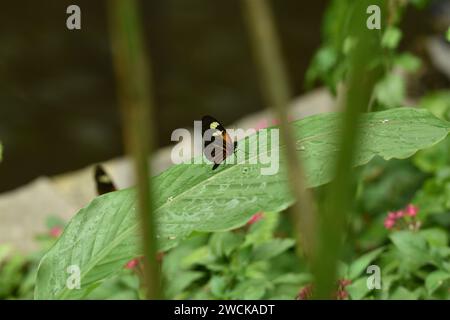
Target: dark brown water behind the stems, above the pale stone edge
x,y
58,109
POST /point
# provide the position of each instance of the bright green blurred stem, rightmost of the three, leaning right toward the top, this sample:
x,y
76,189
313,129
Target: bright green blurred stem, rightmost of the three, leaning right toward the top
x,y
362,76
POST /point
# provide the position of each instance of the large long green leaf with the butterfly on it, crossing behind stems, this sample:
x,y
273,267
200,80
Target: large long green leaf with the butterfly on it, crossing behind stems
x,y
103,235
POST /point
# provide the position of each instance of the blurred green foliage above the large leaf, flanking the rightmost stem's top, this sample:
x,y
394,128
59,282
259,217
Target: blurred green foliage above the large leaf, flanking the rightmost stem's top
x,y
330,63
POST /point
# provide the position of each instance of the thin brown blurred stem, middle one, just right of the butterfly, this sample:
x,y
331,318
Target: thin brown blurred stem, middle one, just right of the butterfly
x,y
275,86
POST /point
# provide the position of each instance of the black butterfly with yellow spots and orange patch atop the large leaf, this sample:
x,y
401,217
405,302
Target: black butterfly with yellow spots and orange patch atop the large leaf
x,y
217,143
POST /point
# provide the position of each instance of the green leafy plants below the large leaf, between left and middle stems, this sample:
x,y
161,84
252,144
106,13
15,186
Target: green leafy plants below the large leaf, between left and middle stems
x,y
248,263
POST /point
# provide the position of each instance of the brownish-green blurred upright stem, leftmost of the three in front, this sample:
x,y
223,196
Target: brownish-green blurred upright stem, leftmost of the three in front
x,y
135,96
